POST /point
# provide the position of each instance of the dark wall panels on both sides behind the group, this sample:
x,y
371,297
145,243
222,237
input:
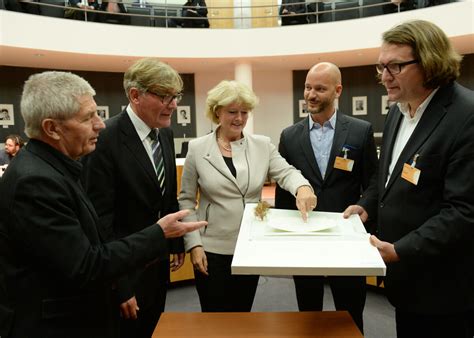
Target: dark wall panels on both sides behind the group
x,y
357,81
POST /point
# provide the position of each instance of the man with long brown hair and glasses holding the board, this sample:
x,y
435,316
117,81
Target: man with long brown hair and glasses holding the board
x,y
424,194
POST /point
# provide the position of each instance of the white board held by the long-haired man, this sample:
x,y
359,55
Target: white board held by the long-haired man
x,y
341,251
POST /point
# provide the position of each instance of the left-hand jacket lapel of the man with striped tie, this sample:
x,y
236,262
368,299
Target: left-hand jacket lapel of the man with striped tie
x,y
132,142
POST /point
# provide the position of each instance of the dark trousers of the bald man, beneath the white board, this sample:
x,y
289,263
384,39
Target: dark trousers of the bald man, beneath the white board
x,y
349,294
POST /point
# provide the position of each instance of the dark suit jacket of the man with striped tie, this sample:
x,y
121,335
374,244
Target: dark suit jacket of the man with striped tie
x,y
121,182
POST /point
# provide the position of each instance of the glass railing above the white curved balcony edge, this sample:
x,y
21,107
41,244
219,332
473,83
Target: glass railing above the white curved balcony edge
x,y
152,14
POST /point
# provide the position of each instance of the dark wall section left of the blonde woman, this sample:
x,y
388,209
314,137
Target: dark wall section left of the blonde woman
x,y
108,87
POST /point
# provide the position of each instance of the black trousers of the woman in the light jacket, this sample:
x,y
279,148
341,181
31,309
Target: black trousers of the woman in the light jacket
x,y
221,291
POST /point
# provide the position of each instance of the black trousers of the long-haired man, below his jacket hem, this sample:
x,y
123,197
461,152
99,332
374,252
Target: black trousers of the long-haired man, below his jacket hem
x,y
412,325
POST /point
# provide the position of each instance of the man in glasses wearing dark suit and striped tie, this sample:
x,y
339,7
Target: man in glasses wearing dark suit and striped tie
x,y
131,180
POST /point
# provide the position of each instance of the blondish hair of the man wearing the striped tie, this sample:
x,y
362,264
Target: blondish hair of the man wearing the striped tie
x,y
154,75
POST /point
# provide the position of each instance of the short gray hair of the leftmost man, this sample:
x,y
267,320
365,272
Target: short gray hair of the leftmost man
x,y
51,95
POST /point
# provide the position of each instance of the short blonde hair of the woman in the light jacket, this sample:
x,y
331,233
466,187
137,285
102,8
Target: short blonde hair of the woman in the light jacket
x,y
226,93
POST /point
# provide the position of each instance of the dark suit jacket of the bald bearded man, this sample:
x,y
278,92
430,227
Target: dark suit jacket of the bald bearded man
x,y
340,188
